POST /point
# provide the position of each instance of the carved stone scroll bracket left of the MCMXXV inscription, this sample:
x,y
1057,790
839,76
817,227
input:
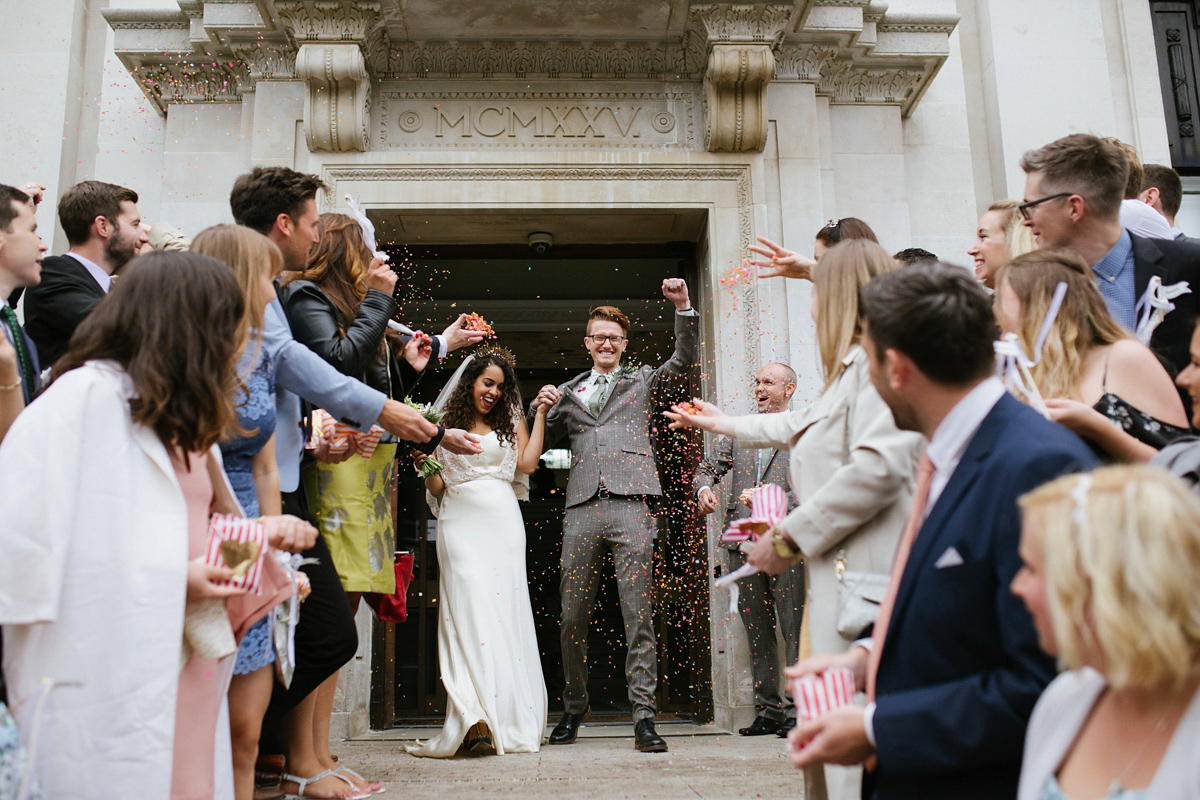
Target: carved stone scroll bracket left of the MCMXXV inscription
x,y
338,98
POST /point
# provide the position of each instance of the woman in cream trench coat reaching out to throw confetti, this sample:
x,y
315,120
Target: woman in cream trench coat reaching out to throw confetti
x,y
853,471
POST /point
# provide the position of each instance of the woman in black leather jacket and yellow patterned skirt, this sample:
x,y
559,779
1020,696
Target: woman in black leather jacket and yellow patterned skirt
x,y
339,306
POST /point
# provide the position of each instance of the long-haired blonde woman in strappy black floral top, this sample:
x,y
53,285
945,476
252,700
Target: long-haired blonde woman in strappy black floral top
x,y
1096,378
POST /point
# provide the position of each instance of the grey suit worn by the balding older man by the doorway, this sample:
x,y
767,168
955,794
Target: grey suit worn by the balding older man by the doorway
x,y
763,597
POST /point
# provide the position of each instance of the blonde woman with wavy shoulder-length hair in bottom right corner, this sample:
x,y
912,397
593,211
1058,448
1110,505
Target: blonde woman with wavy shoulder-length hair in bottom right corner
x,y
1112,564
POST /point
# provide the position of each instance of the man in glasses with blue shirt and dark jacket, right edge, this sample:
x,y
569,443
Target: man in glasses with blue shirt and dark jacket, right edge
x,y
1073,193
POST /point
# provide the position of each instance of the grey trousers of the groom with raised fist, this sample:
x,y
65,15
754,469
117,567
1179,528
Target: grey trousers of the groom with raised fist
x,y
626,526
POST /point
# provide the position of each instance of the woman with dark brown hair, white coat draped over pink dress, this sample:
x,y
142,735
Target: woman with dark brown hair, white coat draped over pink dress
x,y
110,480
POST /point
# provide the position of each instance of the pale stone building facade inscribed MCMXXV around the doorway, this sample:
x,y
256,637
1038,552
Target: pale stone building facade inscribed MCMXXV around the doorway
x,y
753,118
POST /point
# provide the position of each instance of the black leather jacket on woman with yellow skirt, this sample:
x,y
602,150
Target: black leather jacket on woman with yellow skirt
x,y
315,323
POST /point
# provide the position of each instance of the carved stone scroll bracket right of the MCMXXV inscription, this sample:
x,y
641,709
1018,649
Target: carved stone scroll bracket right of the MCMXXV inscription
x,y
735,95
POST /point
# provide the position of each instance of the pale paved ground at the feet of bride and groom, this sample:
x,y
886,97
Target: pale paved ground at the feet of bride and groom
x,y
703,763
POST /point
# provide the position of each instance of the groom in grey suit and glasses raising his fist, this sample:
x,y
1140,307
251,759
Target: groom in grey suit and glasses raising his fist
x,y
607,417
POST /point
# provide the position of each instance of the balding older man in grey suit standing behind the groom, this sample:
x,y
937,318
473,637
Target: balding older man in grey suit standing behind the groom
x,y
763,597
